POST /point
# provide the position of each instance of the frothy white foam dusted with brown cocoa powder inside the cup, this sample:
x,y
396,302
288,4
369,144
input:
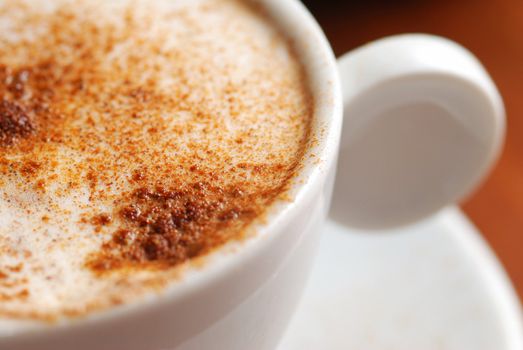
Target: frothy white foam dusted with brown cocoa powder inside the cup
x,y
135,136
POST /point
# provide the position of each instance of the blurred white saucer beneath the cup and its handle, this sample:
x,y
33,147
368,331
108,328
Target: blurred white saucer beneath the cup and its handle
x,y
433,285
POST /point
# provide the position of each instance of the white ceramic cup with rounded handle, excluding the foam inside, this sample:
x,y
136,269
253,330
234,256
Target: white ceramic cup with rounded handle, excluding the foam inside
x,y
423,124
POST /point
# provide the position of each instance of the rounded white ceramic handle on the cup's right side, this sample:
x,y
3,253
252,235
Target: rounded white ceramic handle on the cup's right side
x,y
423,125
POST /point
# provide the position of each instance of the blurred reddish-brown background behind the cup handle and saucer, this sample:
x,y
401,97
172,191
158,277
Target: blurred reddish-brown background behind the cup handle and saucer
x,y
493,31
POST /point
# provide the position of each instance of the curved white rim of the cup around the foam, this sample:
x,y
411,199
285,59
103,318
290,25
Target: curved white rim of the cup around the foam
x,y
314,52
